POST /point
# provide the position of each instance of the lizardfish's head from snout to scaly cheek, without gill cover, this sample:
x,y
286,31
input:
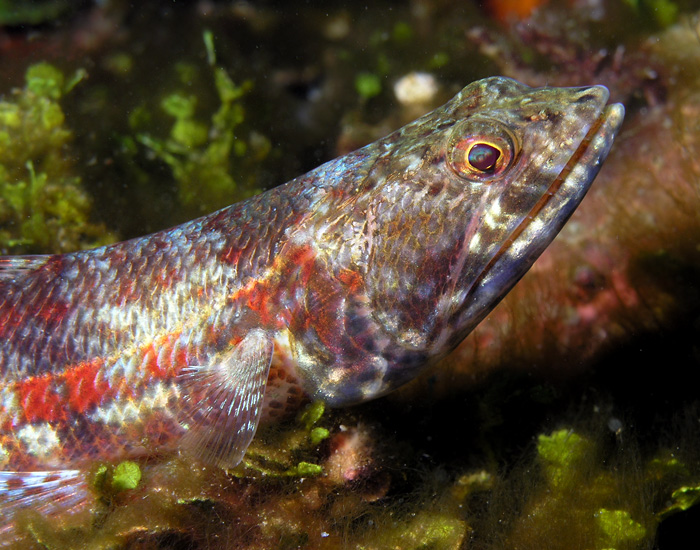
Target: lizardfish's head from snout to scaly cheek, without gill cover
x,y
466,198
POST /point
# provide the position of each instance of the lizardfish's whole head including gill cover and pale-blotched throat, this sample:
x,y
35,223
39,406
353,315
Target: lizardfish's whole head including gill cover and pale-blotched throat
x,y
453,209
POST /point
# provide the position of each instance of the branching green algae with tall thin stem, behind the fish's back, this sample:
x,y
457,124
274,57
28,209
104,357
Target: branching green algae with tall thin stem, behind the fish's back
x,y
206,157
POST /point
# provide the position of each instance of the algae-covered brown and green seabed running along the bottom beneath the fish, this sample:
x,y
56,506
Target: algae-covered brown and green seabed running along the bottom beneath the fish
x,y
571,495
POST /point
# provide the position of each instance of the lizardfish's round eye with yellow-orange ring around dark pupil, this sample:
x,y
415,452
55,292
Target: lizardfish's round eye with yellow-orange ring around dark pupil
x,y
481,149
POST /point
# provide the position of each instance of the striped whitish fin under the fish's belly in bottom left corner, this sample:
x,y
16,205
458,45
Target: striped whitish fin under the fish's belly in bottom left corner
x,y
49,493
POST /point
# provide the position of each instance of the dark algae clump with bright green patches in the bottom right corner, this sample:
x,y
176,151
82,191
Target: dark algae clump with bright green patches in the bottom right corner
x,y
582,500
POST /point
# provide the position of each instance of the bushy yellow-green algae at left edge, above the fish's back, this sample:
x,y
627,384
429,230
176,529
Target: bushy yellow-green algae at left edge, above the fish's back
x,y
43,207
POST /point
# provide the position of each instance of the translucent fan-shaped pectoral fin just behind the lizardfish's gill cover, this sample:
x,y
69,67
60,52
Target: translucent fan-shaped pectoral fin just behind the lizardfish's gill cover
x,y
224,401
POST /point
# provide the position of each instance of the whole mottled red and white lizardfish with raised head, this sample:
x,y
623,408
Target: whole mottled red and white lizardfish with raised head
x,y
341,285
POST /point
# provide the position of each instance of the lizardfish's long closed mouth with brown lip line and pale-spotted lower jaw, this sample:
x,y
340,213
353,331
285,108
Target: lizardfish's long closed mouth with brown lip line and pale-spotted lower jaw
x,y
528,240
